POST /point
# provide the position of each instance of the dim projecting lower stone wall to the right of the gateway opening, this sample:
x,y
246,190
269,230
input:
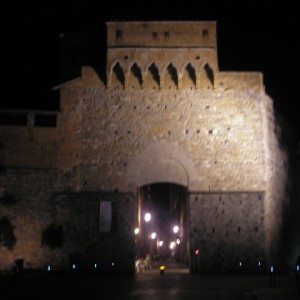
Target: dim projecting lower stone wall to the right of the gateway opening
x,y
227,229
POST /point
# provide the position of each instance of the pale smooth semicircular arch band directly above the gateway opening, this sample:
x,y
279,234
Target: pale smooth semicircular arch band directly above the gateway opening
x,y
160,162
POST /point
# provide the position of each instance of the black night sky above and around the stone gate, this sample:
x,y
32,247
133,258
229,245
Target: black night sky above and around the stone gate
x,y
252,36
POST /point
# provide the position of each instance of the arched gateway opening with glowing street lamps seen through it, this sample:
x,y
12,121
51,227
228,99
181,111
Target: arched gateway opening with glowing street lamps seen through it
x,y
163,236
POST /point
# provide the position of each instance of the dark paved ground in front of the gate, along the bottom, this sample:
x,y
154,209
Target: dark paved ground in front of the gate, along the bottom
x,y
176,284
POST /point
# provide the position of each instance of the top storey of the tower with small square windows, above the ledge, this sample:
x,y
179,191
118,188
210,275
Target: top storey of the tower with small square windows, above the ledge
x,y
162,34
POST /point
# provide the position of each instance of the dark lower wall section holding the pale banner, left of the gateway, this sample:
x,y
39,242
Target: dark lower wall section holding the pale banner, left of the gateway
x,y
85,243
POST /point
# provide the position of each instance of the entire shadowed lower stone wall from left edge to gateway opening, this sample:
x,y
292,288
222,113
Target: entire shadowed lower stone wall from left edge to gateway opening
x,y
40,201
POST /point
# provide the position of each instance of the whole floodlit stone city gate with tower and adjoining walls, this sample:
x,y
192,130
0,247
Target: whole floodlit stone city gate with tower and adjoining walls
x,y
164,114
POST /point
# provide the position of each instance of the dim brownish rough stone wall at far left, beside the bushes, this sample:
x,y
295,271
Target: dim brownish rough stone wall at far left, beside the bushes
x,y
26,203
